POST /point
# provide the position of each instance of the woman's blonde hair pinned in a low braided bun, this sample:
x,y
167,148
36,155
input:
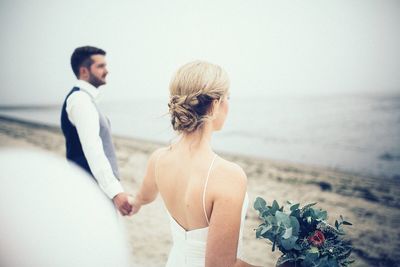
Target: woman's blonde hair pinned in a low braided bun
x,y
192,90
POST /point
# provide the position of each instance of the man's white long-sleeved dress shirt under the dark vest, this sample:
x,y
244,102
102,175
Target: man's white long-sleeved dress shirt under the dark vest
x,y
83,114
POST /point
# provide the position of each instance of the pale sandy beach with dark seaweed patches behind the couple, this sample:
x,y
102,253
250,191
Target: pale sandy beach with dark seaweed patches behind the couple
x,y
370,203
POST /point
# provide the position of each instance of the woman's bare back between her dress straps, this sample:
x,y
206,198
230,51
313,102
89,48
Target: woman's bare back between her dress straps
x,y
181,178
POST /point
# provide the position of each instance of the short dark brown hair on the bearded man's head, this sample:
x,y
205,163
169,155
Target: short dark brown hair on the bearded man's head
x,y
81,57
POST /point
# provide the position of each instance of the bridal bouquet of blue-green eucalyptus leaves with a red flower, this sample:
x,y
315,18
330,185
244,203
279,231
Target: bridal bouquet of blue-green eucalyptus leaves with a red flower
x,y
303,235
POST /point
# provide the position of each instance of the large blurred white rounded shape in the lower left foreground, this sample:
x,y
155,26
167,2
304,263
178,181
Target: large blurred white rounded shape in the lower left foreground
x,y
54,214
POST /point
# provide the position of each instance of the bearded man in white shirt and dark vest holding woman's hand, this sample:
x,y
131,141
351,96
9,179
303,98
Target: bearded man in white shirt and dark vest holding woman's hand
x,y
87,132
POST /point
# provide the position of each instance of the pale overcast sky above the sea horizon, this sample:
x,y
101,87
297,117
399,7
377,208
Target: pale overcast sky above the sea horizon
x,y
267,47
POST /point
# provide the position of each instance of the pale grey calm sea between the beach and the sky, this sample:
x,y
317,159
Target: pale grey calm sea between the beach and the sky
x,y
356,133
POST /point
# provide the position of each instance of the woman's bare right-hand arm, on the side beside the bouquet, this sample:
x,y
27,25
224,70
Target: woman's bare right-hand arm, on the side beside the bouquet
x,y
228,192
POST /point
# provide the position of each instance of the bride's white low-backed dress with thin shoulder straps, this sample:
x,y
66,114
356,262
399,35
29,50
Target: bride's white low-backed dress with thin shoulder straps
x,y
189,247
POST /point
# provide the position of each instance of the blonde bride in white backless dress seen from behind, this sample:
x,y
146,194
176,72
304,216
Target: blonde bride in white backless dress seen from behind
x,y
204,194
